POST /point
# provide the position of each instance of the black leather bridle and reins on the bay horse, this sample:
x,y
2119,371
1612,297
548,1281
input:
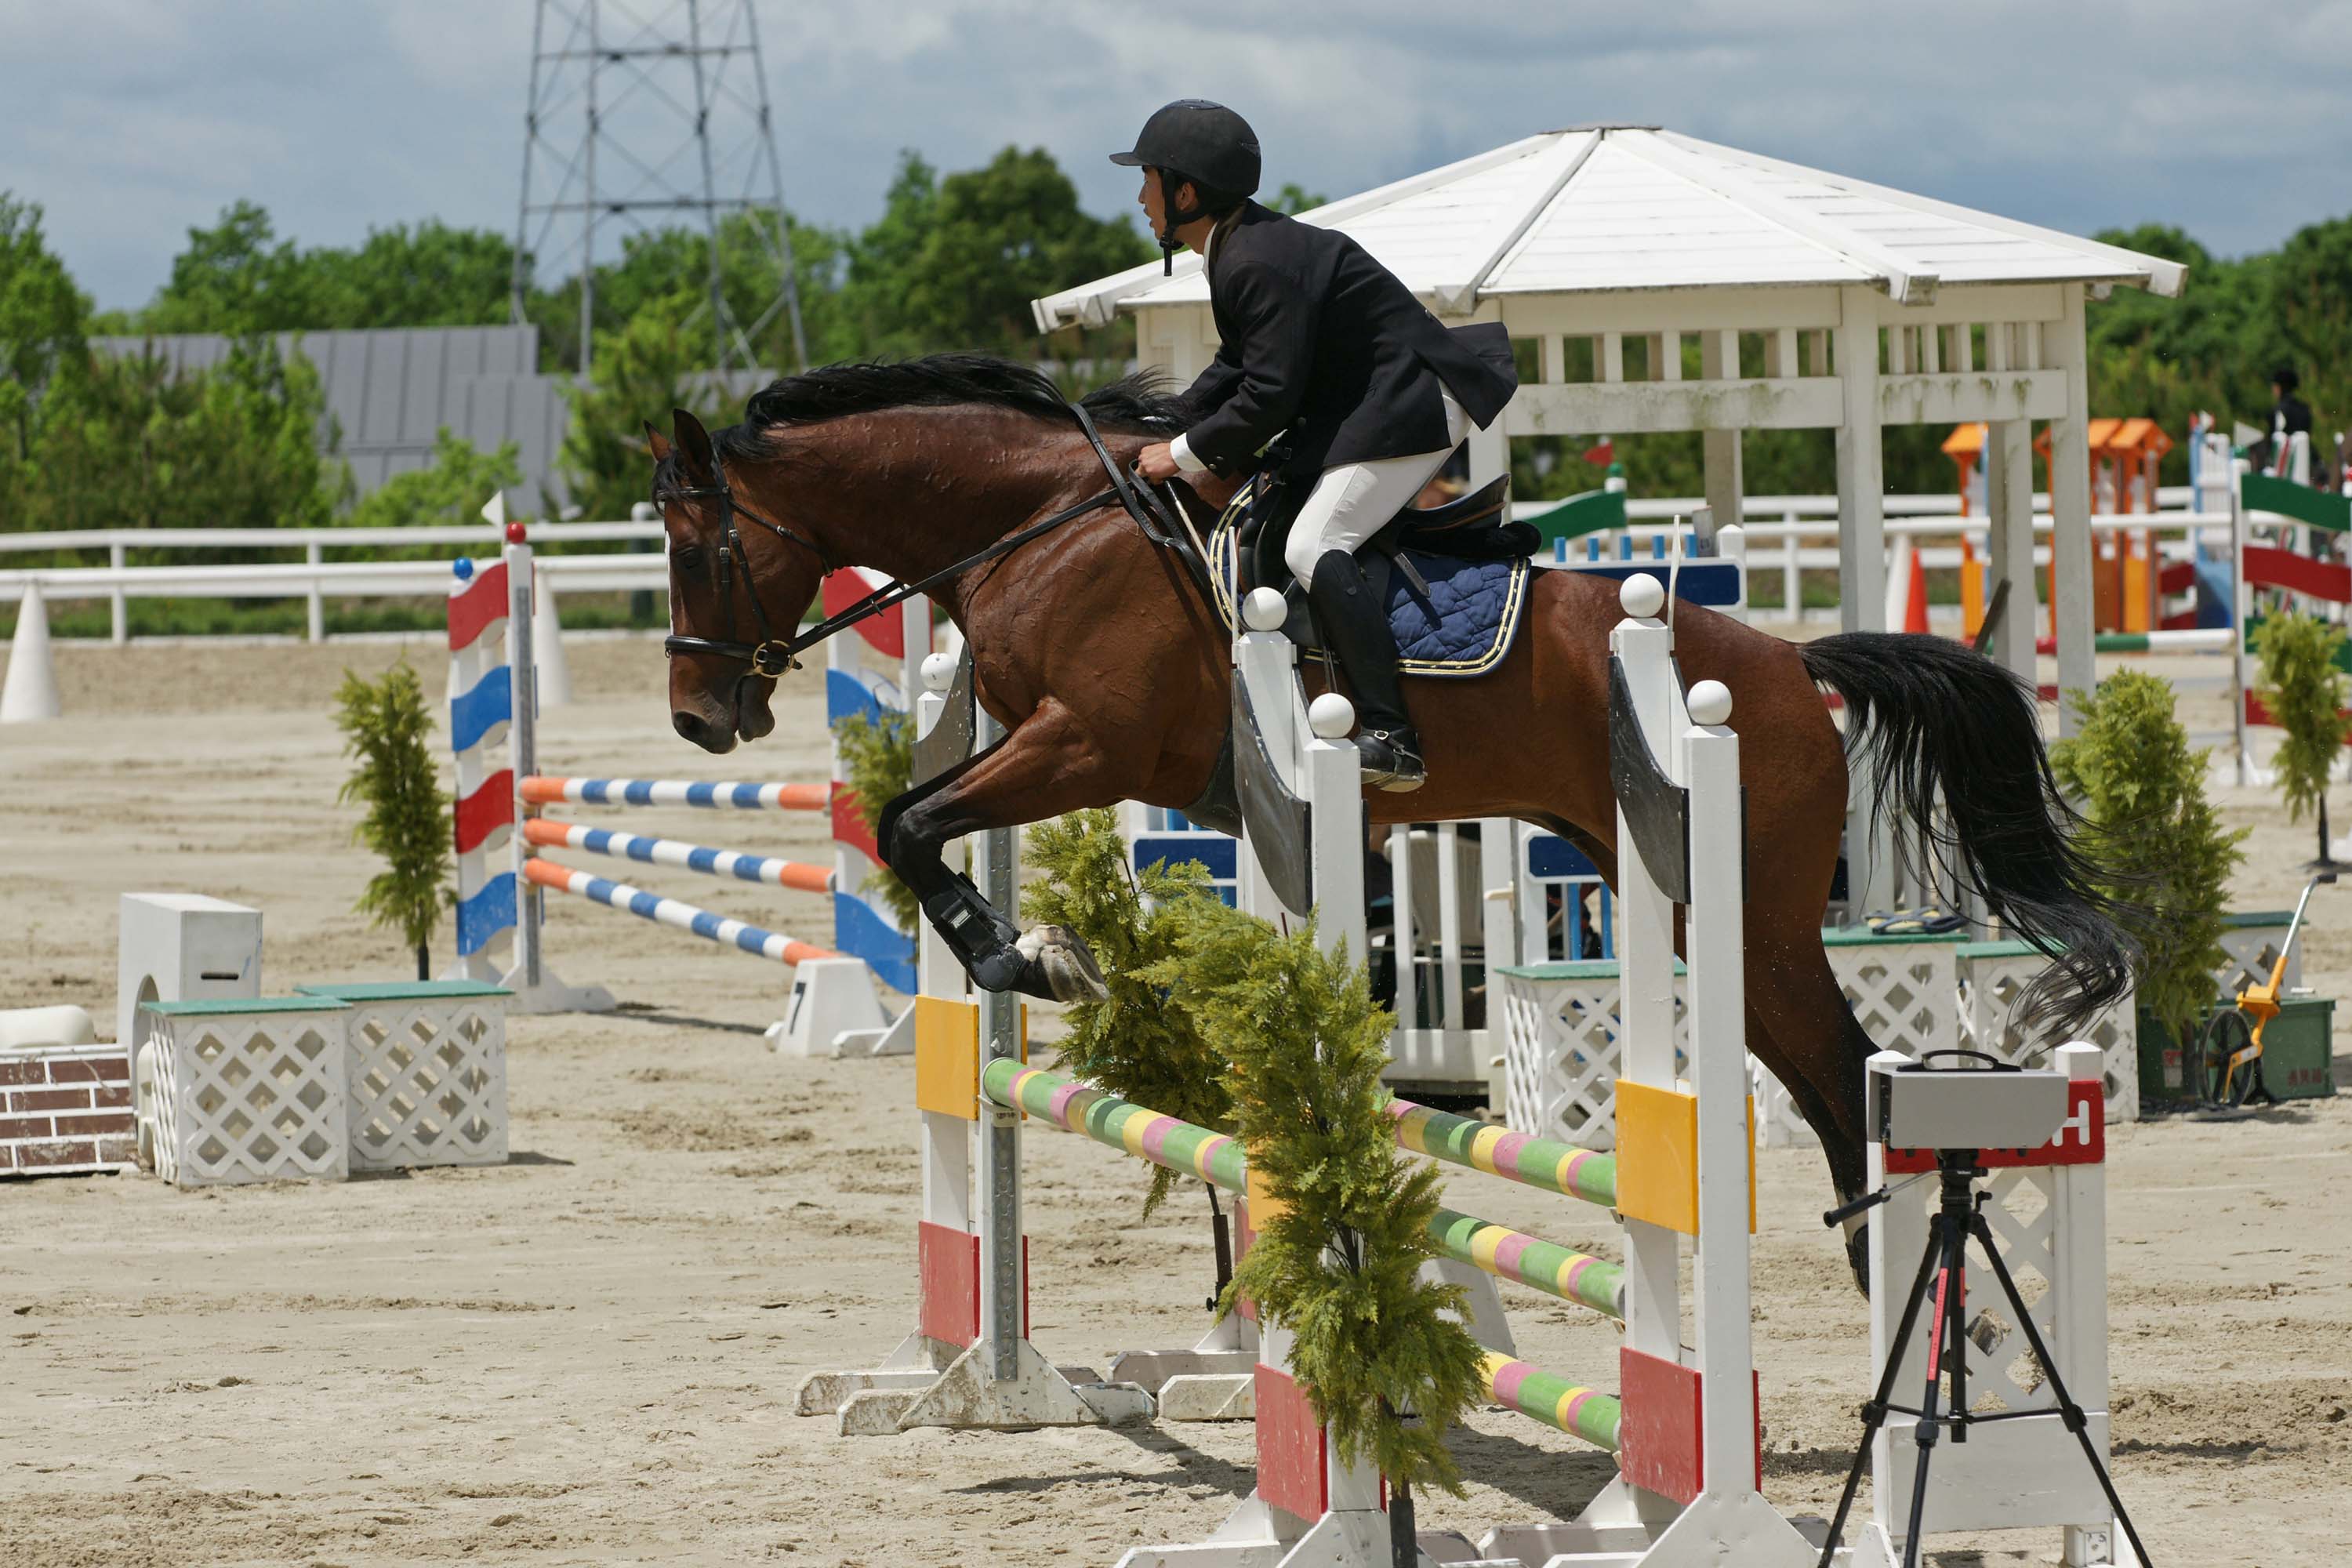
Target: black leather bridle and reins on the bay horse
x,y
775,657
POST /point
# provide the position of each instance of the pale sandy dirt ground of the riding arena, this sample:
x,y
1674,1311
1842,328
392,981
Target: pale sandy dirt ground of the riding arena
x,y
592,1353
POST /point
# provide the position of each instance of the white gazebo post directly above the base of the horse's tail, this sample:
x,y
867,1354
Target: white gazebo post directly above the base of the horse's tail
x,y
1862,558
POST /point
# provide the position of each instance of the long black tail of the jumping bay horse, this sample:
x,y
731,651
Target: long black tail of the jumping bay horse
x,y
1942,725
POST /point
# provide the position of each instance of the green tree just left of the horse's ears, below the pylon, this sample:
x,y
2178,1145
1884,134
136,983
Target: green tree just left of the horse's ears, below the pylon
x,y
641,373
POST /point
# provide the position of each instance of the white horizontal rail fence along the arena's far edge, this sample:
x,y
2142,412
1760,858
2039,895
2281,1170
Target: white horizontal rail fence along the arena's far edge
x,y
1789,535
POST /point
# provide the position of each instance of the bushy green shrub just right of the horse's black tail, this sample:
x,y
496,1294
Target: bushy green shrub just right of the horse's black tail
x,y
2144,791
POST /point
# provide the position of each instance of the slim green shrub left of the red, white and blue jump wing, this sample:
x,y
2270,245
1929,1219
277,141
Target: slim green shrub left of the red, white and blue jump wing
x,y
408,817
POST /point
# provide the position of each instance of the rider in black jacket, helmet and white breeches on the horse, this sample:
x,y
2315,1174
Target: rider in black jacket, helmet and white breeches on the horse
x,y
1323,342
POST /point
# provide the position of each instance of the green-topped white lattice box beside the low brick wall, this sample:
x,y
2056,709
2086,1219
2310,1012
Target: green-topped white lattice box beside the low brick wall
x,y
243,1090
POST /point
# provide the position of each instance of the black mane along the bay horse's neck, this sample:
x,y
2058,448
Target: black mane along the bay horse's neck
x,y
1137,406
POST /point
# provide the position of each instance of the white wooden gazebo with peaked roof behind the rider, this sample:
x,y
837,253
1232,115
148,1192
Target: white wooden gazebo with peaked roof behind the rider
x,y
1817,300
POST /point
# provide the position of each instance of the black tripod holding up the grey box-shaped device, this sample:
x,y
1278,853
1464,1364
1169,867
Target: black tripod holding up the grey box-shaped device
x,y
1946,1266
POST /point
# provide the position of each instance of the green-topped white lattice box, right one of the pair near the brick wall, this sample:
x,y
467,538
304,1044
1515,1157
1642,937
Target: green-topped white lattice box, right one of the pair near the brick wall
x,y
425,1073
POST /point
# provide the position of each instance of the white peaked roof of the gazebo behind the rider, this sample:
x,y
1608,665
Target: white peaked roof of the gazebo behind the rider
x,y
1615,208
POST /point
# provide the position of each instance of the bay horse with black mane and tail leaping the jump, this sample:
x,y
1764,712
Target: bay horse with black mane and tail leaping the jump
x,y
1111,674
